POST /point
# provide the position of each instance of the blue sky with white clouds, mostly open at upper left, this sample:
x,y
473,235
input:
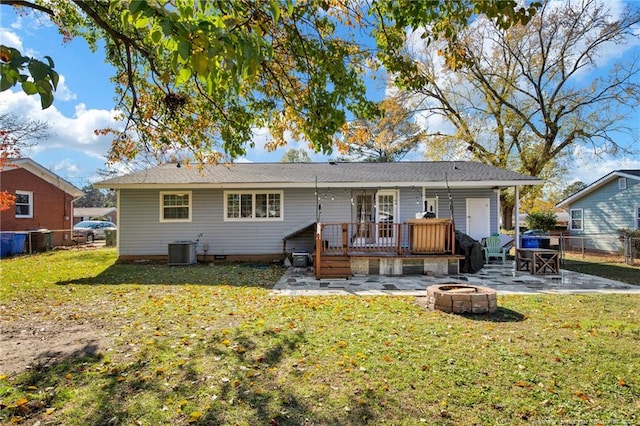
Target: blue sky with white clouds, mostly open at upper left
x,y
84,102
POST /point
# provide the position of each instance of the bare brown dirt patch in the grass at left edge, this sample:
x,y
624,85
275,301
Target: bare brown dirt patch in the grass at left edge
x,y
39,342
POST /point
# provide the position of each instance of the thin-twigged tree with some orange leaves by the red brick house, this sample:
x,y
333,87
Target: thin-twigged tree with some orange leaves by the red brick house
x,y
15,135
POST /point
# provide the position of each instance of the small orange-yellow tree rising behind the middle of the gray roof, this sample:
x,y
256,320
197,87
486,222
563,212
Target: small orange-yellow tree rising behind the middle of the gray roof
x,y
387,139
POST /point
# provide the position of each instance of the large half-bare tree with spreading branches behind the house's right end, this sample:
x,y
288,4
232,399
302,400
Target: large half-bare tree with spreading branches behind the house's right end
x,y
521,101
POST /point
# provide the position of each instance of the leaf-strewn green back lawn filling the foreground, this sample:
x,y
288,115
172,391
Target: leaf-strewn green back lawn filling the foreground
x,y
153,344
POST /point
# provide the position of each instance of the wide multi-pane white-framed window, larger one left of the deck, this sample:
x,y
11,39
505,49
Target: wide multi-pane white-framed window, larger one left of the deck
x,y
252,205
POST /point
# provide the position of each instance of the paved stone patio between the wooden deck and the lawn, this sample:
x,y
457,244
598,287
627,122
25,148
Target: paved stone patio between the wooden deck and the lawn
x,y
504,279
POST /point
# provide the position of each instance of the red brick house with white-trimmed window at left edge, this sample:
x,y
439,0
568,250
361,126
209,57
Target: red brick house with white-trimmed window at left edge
x,y
43,200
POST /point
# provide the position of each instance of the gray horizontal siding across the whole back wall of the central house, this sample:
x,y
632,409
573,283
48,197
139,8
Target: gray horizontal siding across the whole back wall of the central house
x,y
141,232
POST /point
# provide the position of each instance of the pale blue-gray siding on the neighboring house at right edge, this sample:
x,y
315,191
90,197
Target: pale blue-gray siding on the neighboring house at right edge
x,y
605,211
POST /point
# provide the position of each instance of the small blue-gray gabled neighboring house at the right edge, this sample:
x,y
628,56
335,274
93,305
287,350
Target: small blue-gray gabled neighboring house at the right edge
x,y
598,211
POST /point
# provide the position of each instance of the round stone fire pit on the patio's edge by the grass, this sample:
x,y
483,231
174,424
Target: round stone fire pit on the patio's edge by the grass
x,y
462,298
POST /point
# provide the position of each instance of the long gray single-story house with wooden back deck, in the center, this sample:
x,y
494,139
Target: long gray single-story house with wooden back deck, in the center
x,y
369,218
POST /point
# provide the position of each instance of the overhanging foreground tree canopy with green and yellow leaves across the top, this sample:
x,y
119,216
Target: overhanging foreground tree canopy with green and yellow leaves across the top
x,y
201,76
